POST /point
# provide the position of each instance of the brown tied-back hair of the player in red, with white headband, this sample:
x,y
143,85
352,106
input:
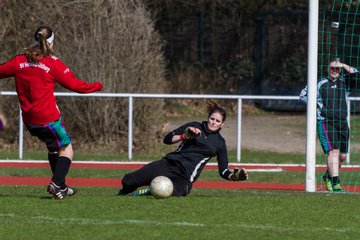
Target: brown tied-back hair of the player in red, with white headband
x,y
41,47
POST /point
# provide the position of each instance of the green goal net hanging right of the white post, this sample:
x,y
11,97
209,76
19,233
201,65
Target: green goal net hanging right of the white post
x,y
338,93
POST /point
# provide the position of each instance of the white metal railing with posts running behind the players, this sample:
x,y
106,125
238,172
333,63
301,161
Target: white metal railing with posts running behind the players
x,y
131,96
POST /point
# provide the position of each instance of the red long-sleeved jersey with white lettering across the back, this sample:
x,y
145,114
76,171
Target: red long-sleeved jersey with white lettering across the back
x,y
35,85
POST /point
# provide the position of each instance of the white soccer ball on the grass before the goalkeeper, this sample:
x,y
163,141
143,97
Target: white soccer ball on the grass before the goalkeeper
x,y
161,187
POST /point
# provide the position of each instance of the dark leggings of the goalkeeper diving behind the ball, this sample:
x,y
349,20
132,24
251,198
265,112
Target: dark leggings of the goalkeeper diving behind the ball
x,y
144,176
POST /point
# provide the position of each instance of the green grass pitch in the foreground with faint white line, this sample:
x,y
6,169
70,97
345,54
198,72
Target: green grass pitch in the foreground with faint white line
x,y
97,213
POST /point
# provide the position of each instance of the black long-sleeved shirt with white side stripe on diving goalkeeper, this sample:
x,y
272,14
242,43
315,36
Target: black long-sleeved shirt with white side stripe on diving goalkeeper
x,y
192,155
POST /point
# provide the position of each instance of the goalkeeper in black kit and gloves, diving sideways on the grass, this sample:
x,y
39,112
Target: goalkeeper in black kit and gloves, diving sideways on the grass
x,y
199,143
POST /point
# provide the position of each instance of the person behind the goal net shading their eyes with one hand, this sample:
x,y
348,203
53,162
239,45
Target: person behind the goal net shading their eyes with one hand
x,y
332,126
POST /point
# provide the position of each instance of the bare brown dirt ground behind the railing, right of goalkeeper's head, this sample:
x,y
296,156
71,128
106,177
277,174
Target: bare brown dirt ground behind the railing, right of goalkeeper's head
x,y
276,132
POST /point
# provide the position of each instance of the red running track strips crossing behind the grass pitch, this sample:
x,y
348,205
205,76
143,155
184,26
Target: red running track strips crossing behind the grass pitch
x,y
116,183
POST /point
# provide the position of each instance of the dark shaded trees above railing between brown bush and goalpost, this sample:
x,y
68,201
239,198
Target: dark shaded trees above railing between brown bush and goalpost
x,y
215,46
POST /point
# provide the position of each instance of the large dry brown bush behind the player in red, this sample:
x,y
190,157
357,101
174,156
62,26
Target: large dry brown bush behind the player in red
x,y
114,42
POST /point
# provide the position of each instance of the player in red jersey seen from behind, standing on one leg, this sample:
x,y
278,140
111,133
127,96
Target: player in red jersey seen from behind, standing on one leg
x,y
36,72
